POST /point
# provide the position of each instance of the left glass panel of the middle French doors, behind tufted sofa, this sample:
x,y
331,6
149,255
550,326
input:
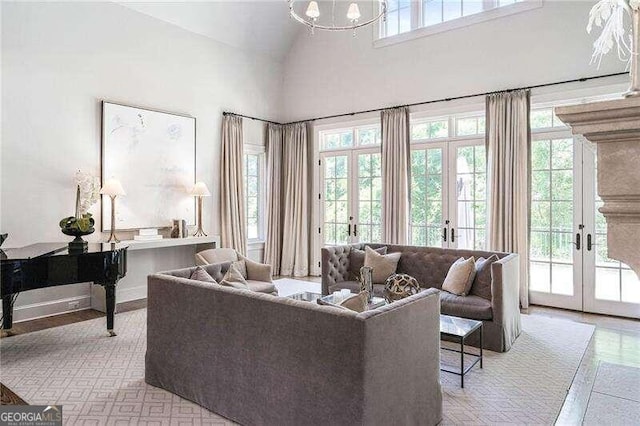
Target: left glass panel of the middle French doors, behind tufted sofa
x,y
428,196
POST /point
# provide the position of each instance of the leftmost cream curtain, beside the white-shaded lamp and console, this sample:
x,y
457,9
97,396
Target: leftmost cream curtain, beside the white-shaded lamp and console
x,y
232,214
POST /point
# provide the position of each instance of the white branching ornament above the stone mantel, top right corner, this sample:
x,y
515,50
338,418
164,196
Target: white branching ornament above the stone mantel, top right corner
x,y
609,14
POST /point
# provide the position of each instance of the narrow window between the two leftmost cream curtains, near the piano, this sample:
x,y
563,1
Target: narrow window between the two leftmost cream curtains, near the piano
x,y
253,195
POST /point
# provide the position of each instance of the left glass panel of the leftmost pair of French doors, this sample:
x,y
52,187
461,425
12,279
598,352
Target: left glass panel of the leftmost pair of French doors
x,y
335,179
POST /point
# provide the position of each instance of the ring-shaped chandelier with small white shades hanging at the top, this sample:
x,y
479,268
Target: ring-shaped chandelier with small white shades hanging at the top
x,y
351,21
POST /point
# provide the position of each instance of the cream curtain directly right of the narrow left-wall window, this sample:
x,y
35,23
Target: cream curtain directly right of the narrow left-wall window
x,y
273,243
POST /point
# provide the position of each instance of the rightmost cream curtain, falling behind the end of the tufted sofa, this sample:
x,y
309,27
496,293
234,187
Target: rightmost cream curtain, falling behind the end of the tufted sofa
x,y
508,142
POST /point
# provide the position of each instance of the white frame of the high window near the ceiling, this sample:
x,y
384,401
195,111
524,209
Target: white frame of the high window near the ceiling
x,y
418,30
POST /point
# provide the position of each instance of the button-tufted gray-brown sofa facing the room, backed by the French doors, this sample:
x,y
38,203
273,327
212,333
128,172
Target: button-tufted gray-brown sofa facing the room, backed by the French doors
x,y
498,307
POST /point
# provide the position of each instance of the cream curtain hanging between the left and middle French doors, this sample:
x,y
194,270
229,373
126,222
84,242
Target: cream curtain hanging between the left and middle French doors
x,y
396,161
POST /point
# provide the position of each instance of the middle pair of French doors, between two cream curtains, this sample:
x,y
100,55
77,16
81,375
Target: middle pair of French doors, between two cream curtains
x,y
448,196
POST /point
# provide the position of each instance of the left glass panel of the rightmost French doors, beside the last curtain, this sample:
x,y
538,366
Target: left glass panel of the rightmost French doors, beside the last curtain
x,y
555,259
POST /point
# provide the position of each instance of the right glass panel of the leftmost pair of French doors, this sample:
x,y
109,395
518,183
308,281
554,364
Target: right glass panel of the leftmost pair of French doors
x,y
369,193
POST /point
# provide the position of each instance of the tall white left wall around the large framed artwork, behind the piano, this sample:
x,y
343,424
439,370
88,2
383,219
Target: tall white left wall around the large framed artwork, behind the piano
x,y
58,61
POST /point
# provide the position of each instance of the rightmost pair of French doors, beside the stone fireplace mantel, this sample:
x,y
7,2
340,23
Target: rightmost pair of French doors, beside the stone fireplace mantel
x,y
569,267
